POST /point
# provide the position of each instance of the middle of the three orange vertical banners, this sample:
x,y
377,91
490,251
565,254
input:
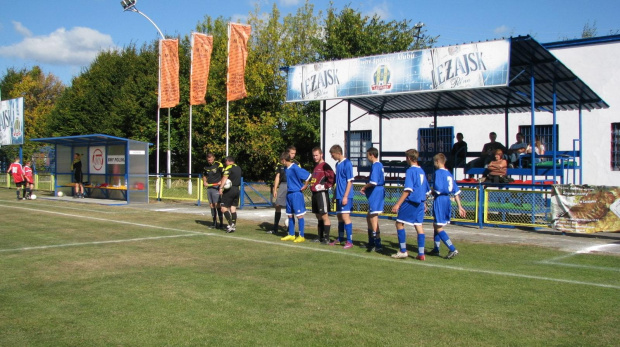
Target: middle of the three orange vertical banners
x,y
201,59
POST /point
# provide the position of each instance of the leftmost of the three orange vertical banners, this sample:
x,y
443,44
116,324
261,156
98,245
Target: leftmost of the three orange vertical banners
x,y
169,94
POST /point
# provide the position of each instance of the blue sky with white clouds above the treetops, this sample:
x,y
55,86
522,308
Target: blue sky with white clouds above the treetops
x,y
63,37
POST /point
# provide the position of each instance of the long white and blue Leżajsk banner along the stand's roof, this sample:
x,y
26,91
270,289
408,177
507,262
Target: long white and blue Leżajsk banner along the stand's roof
x,y
475,65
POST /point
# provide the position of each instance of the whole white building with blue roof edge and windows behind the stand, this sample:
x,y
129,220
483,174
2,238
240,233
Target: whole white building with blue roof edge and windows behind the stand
x,y
593,61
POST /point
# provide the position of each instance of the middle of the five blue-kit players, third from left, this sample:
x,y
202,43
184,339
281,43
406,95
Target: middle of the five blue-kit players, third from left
x,y
375,192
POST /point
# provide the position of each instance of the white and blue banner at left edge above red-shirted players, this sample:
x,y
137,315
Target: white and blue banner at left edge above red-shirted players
x,y
12,122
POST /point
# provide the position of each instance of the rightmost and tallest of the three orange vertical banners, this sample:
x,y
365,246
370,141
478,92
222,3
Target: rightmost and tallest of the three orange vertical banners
x,y
237,57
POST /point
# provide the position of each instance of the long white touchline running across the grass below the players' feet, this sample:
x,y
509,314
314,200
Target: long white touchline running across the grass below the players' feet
x,y
345,253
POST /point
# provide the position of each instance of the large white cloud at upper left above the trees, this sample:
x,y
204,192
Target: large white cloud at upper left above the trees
x,y
77,46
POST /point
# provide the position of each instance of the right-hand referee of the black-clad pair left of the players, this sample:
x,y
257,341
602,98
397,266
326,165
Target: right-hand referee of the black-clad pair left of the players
x,y
230,196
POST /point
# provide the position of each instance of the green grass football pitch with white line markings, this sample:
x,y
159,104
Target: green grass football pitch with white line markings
x,y
89,275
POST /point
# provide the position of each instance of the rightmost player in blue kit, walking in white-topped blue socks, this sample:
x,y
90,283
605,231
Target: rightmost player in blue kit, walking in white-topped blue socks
x,y
443,187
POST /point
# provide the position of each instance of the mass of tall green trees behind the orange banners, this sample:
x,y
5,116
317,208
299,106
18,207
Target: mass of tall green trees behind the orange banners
x,y
117,93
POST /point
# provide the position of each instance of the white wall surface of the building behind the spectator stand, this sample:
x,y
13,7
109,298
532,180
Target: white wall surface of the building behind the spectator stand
x,y
593,63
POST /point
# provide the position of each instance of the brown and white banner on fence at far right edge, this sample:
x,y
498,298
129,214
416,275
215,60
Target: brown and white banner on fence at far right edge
x,y
585,209
